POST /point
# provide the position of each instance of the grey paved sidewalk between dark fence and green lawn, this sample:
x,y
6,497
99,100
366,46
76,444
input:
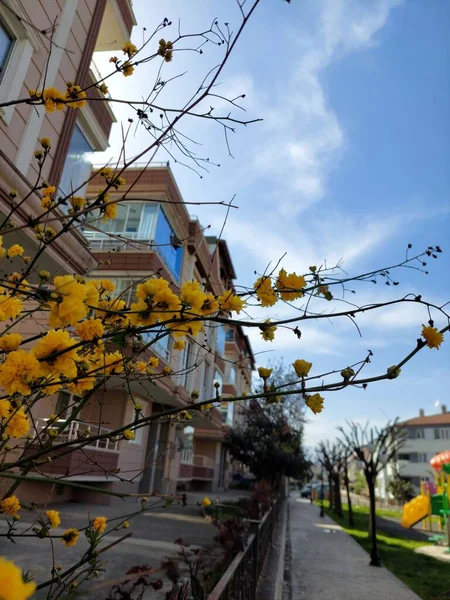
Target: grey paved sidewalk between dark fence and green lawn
x,y
326,563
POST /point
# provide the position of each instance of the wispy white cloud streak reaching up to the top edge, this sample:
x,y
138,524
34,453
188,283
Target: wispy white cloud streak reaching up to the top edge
x,y
306,136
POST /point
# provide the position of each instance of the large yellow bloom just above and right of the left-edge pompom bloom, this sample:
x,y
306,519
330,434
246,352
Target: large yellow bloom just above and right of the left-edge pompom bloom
x,y
57,341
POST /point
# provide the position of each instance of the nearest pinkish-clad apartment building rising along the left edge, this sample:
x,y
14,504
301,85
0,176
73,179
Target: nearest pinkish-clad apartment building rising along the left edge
x,y
34,55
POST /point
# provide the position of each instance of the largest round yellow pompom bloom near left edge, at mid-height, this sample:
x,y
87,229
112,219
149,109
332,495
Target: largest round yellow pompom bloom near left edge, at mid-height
x,y
19,370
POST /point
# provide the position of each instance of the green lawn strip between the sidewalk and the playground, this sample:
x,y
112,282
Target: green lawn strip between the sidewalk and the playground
x,y
429,578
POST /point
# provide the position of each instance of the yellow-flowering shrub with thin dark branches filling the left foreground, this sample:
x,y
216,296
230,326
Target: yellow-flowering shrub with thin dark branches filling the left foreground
x,y
90,338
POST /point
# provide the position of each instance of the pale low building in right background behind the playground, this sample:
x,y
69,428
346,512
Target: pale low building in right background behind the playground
x,y
427,435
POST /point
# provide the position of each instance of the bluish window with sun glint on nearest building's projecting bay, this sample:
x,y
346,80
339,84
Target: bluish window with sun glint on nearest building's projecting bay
x,y
77,167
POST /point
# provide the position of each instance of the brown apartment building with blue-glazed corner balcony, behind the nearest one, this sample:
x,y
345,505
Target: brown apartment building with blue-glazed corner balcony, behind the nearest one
x,y
153,235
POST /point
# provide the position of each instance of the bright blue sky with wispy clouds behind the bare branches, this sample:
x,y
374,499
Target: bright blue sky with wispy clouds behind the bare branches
x,y
350,162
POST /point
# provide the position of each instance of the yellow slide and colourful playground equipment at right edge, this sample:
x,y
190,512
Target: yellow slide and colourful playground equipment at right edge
x,y
434,499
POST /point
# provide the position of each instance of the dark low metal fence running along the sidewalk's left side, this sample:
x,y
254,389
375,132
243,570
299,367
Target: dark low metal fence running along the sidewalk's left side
x,y
240,580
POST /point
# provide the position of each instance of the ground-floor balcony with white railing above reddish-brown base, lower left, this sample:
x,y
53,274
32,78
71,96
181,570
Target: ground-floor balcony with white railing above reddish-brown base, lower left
x,y
99,458
